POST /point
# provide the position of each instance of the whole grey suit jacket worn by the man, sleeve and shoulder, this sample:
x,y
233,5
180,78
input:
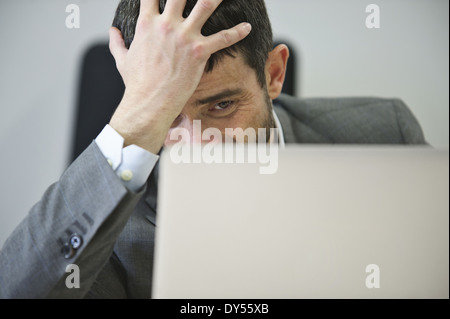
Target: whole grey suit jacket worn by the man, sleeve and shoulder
x,y
116,227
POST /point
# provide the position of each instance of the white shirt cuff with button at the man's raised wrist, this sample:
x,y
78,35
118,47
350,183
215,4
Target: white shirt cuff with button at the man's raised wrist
x,y
132,164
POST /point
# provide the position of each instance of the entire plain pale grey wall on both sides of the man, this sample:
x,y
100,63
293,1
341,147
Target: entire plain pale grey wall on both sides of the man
x,y
339,56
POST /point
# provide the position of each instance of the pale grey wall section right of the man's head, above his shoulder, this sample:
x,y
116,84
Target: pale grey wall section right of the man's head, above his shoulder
x,y
408,57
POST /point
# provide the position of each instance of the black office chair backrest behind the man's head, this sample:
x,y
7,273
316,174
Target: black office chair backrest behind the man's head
x,y
101,89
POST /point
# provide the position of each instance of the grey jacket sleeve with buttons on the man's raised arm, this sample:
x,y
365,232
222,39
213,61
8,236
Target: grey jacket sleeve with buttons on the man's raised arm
x,y
77,221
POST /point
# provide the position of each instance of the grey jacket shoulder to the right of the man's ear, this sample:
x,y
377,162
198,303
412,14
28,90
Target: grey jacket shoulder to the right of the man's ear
x,y
352,120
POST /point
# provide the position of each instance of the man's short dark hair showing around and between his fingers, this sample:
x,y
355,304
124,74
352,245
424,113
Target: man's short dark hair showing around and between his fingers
x,y
255,47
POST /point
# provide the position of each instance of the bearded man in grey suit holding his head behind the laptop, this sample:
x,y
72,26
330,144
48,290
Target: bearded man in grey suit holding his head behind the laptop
x,y
181,60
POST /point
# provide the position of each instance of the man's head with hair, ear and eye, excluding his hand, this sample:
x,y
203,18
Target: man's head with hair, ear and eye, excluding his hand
x,y
249,72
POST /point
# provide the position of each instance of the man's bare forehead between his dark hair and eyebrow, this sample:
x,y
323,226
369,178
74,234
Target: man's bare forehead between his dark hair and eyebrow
x,y
228,73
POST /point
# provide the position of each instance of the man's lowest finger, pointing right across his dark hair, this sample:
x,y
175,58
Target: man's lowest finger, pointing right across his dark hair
x,y
227,38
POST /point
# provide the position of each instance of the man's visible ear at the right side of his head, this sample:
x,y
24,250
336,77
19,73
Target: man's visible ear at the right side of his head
x,y
276,70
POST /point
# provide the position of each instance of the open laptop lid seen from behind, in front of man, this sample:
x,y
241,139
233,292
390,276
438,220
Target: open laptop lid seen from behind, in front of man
x,y
331,222
